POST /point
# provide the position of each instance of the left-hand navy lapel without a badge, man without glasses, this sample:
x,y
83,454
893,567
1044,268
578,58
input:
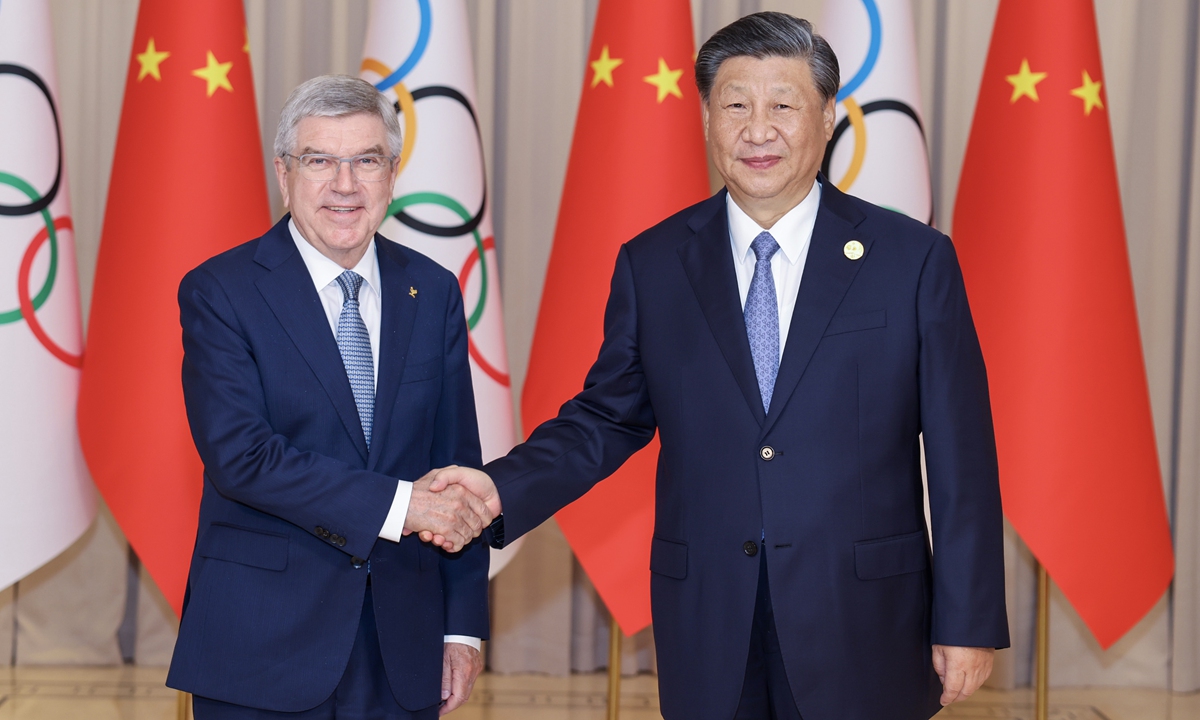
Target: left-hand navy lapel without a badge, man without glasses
x,y
709,262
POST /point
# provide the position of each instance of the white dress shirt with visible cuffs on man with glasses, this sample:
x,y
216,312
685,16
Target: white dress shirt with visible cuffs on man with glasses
x,y
325,274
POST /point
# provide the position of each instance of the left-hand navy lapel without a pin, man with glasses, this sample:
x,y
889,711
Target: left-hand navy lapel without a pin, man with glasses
x,y
292,297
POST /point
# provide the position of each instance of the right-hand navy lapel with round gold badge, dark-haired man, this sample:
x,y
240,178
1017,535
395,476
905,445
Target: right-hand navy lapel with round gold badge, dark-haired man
x,y
827,275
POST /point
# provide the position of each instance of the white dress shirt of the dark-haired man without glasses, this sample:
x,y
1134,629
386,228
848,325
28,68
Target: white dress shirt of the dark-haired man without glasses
x,y
794,232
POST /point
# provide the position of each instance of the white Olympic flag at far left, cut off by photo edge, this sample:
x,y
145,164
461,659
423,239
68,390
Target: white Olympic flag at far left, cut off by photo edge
x,y
47,499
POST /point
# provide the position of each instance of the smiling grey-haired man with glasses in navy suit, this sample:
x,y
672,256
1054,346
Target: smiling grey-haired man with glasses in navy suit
x,y
326,373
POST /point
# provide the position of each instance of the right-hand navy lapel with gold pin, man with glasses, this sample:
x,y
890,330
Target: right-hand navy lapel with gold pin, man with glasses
x,y
395,333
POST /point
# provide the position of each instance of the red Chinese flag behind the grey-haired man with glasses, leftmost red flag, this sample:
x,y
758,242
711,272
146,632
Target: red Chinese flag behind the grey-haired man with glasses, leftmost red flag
x,y
188,183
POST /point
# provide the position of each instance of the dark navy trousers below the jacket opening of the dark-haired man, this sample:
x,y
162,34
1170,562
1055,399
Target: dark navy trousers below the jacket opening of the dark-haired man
x,y
766,694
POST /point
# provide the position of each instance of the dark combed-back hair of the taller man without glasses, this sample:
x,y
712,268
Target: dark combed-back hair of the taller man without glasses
x,y
769,35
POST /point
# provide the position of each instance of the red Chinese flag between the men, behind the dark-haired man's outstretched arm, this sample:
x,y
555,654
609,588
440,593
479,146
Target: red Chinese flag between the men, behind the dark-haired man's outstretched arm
x,y
637,159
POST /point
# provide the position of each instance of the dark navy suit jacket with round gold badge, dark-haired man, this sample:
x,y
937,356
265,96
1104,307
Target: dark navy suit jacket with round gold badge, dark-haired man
x,y
880,350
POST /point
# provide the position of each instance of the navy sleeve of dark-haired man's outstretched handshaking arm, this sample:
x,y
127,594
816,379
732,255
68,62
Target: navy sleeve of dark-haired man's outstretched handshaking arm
x,y
595,433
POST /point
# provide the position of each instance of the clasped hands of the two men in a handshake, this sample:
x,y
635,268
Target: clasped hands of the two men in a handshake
x,y
453,515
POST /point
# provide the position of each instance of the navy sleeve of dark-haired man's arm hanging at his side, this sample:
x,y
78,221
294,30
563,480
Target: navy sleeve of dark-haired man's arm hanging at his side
x,y
961,460
